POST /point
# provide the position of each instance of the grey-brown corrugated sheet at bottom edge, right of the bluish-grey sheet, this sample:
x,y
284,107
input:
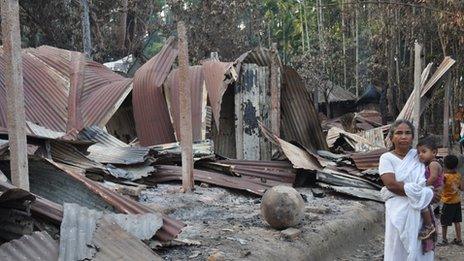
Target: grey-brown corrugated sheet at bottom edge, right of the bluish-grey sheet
x,y
113,243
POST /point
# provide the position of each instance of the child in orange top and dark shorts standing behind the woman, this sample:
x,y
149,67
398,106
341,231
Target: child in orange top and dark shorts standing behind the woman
x,y
451,199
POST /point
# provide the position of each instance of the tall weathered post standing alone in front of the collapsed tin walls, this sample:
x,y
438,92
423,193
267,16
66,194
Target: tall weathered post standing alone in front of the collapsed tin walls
x,y
186,135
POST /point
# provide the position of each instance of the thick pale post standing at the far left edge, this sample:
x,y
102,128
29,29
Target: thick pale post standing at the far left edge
x,y
16,115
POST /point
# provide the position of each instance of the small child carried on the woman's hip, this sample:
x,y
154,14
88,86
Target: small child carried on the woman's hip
x,y
427,150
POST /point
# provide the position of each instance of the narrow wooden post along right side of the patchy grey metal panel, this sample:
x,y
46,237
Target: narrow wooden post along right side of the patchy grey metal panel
x,y
275,91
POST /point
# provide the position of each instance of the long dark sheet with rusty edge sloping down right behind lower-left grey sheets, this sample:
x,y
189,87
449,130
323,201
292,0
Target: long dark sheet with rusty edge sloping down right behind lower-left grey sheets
x,y
55,181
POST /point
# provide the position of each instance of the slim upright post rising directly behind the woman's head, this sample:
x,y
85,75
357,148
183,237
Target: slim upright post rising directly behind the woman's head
x,y
417,91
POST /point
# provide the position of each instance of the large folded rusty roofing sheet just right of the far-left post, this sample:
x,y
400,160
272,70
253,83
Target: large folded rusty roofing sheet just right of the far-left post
x,y
61,94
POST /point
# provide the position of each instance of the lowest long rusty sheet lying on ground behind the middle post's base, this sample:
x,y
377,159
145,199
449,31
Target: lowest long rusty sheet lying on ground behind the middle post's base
x,y
256,186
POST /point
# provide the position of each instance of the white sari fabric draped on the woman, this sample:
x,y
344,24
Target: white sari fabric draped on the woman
x,y
402,213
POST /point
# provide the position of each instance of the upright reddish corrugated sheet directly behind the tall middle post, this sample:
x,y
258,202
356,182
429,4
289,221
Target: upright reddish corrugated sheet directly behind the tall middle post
x,y
196,84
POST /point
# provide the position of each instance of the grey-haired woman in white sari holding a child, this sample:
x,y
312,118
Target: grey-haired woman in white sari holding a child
x,y
405,194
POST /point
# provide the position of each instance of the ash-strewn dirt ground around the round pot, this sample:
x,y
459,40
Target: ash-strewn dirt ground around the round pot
x,y
225,223
